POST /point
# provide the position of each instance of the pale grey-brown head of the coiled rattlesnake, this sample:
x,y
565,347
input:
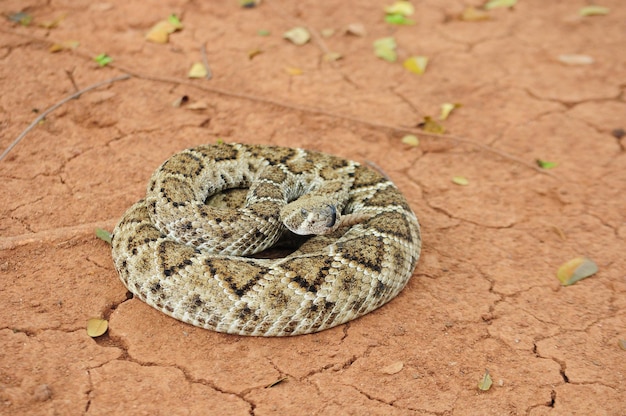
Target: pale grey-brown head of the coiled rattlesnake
x,y
310,217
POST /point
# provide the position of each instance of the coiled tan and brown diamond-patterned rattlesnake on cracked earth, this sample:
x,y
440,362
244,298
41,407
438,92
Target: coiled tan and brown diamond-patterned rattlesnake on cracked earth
x,y
192,260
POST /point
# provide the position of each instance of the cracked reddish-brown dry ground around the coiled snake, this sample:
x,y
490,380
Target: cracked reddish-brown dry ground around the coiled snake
x,y
485,293
